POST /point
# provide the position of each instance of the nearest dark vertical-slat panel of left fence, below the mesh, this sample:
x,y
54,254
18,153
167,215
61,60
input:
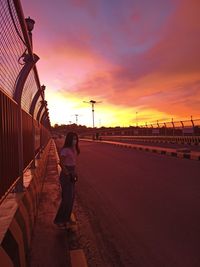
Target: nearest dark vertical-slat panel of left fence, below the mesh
x,y
9,168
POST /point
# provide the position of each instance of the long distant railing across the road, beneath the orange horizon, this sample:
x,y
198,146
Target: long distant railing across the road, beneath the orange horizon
x,y
174,132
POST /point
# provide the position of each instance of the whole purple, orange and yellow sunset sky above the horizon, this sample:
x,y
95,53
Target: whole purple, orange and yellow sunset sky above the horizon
x,y
140,58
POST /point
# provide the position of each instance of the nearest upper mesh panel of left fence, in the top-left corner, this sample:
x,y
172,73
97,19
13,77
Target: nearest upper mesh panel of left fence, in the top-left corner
x,y
12,46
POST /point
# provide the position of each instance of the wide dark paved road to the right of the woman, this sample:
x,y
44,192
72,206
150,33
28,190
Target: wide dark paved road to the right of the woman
x,y
143,208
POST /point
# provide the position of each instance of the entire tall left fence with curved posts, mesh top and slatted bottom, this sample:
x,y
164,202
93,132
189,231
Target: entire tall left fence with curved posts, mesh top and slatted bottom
x,y
22,132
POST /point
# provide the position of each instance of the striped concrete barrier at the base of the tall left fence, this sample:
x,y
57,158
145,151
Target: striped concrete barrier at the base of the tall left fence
x,y
17,216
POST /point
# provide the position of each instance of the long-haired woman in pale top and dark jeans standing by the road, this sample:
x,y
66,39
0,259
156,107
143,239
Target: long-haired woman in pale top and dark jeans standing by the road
x,y
68,177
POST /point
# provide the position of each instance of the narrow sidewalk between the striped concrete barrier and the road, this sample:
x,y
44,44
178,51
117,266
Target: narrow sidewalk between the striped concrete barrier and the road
x,y
49,246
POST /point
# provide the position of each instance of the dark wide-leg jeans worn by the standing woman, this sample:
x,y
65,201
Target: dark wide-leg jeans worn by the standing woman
x,y
66,205
